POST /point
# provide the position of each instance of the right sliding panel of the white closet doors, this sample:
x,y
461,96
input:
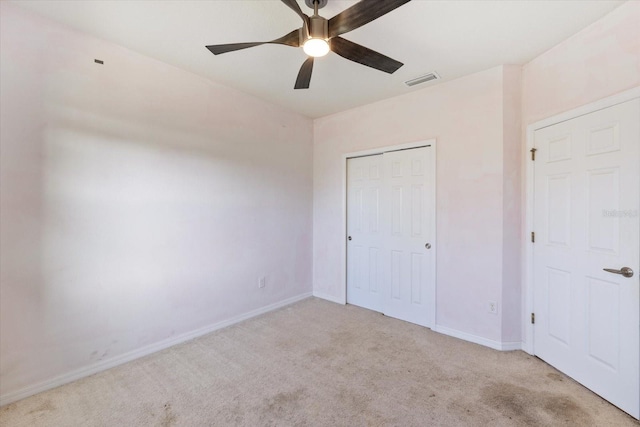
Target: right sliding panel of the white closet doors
x,y
409,243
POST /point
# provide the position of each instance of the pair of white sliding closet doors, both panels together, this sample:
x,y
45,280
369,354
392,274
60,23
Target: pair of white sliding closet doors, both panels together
x,y
391,234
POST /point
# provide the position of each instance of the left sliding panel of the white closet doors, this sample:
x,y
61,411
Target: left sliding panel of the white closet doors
x,y
364,248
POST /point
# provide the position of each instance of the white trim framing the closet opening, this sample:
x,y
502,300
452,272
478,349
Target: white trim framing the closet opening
x,y
381,150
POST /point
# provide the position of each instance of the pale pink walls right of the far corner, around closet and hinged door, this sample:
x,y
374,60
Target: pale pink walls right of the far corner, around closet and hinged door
x,y
478,122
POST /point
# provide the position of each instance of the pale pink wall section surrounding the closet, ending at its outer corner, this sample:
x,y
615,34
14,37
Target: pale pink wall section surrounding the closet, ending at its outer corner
x,y
466,118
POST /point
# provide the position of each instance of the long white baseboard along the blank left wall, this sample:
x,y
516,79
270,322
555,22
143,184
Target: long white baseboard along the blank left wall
x,y
141,352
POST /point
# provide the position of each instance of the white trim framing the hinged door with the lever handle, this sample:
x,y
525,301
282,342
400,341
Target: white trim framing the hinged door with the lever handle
x,y
528,343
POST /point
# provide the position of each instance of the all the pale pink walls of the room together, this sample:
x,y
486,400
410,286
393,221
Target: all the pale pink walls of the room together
x,y
140,202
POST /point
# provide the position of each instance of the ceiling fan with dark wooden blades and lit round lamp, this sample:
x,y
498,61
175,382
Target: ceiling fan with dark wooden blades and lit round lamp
x,y
318,36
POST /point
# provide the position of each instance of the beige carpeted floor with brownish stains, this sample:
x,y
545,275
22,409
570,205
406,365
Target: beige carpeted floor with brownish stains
x,y
316,363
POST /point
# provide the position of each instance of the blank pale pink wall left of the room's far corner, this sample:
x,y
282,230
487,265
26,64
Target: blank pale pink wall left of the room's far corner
x,y
139,202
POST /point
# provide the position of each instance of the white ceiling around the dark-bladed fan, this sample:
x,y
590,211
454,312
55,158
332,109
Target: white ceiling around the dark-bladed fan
x,y
453,38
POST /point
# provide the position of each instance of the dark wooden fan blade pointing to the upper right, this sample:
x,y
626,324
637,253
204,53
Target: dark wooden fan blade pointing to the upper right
x,y
361,13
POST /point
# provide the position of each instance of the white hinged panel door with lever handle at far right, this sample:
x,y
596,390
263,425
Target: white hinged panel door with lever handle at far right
x,y
586,219
